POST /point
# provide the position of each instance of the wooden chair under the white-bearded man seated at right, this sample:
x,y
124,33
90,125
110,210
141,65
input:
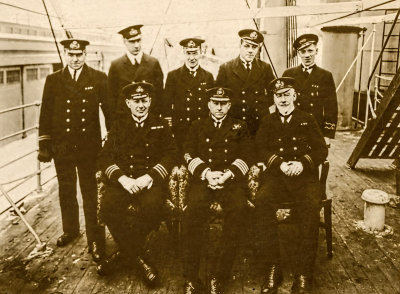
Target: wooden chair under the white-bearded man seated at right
x,y
284,217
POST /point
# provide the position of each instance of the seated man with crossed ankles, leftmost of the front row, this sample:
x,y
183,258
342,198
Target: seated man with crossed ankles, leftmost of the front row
x,y
136,158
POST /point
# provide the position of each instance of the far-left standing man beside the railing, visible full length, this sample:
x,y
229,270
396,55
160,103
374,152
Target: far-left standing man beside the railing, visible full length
x,y
69,132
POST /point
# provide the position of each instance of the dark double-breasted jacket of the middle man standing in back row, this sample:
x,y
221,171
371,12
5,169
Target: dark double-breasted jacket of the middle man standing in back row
x,y
185,99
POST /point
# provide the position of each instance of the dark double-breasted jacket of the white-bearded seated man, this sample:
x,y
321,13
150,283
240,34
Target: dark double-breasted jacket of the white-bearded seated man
x,y
298,140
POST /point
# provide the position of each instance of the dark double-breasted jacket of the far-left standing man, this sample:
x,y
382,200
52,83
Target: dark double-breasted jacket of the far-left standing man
x,y
69,116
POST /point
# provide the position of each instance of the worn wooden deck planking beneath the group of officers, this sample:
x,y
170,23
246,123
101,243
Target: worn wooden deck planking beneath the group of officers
x,y
361,263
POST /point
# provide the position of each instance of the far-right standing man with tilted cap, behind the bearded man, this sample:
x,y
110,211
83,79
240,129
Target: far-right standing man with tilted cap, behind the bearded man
x,y
315,86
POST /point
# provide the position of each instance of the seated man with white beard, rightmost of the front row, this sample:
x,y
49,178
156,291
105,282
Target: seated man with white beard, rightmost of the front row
x,y
290,146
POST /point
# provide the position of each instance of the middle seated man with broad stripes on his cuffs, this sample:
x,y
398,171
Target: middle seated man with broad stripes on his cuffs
x,y
216,150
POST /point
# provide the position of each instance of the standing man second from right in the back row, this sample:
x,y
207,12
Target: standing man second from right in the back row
x,y
248,77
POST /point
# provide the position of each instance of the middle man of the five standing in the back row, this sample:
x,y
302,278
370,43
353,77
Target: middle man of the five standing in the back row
x,y
185,91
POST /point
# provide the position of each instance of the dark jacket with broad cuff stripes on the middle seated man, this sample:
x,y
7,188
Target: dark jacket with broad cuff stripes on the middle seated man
x,y
227,147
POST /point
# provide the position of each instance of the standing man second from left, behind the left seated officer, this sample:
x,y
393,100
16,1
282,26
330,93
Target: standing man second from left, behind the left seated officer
x,y
134,66
